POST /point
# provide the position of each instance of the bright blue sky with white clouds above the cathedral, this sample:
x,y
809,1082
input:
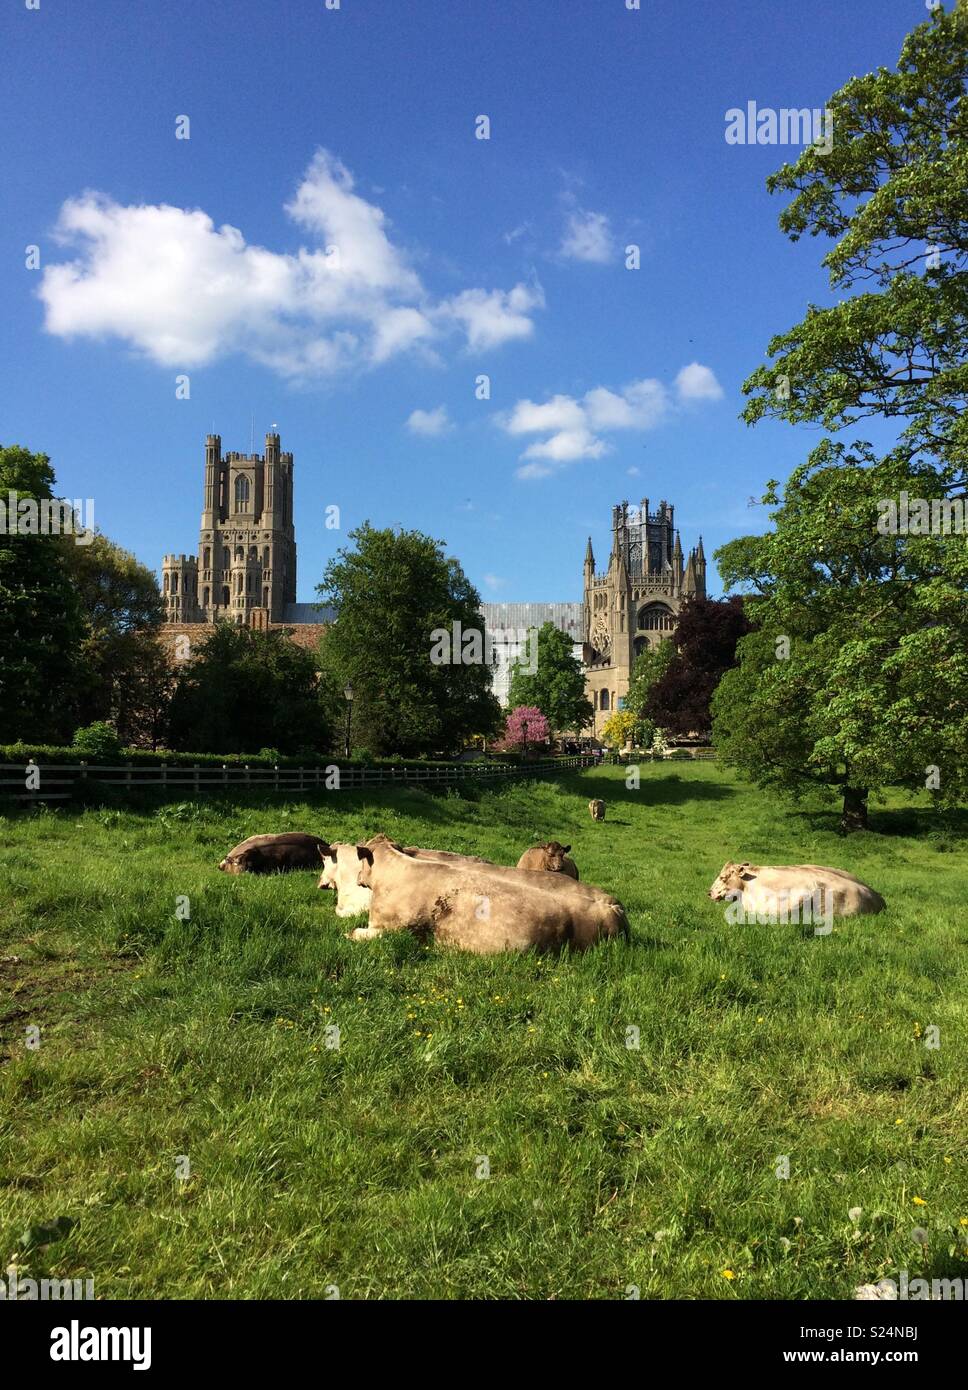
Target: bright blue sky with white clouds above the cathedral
x,y
314,129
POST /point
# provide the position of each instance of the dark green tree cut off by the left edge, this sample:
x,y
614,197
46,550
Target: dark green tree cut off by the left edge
x,y
40,615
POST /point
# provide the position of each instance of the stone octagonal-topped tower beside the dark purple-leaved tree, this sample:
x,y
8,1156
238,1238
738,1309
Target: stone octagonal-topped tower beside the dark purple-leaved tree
x,y
636,603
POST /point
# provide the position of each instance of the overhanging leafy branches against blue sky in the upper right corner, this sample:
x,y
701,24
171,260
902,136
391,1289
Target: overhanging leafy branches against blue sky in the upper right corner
x,y
892,195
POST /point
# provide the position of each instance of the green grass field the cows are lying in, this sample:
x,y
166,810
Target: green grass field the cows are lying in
x,y
358,1167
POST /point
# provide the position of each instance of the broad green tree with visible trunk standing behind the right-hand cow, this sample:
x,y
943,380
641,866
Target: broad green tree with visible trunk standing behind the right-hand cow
x,y
856,676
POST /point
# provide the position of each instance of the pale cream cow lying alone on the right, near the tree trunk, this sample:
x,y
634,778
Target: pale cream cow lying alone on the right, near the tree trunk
x,y
786,889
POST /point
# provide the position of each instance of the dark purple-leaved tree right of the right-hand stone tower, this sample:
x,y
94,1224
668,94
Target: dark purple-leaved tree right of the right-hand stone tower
x,y
704,648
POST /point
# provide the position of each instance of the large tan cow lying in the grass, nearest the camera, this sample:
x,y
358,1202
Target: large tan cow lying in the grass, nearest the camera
x,y
482,908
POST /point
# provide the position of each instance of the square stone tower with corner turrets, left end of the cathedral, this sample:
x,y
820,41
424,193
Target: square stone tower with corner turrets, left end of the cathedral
x,y
247,565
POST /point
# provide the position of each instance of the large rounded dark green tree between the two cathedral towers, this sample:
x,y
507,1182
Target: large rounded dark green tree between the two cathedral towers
x,y
411,640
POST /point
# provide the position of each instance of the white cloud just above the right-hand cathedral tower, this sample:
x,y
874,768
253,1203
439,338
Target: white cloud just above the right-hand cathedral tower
x,y
574,427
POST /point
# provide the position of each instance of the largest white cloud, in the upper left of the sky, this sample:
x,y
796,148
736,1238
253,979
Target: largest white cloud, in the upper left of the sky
x,y
186,293
